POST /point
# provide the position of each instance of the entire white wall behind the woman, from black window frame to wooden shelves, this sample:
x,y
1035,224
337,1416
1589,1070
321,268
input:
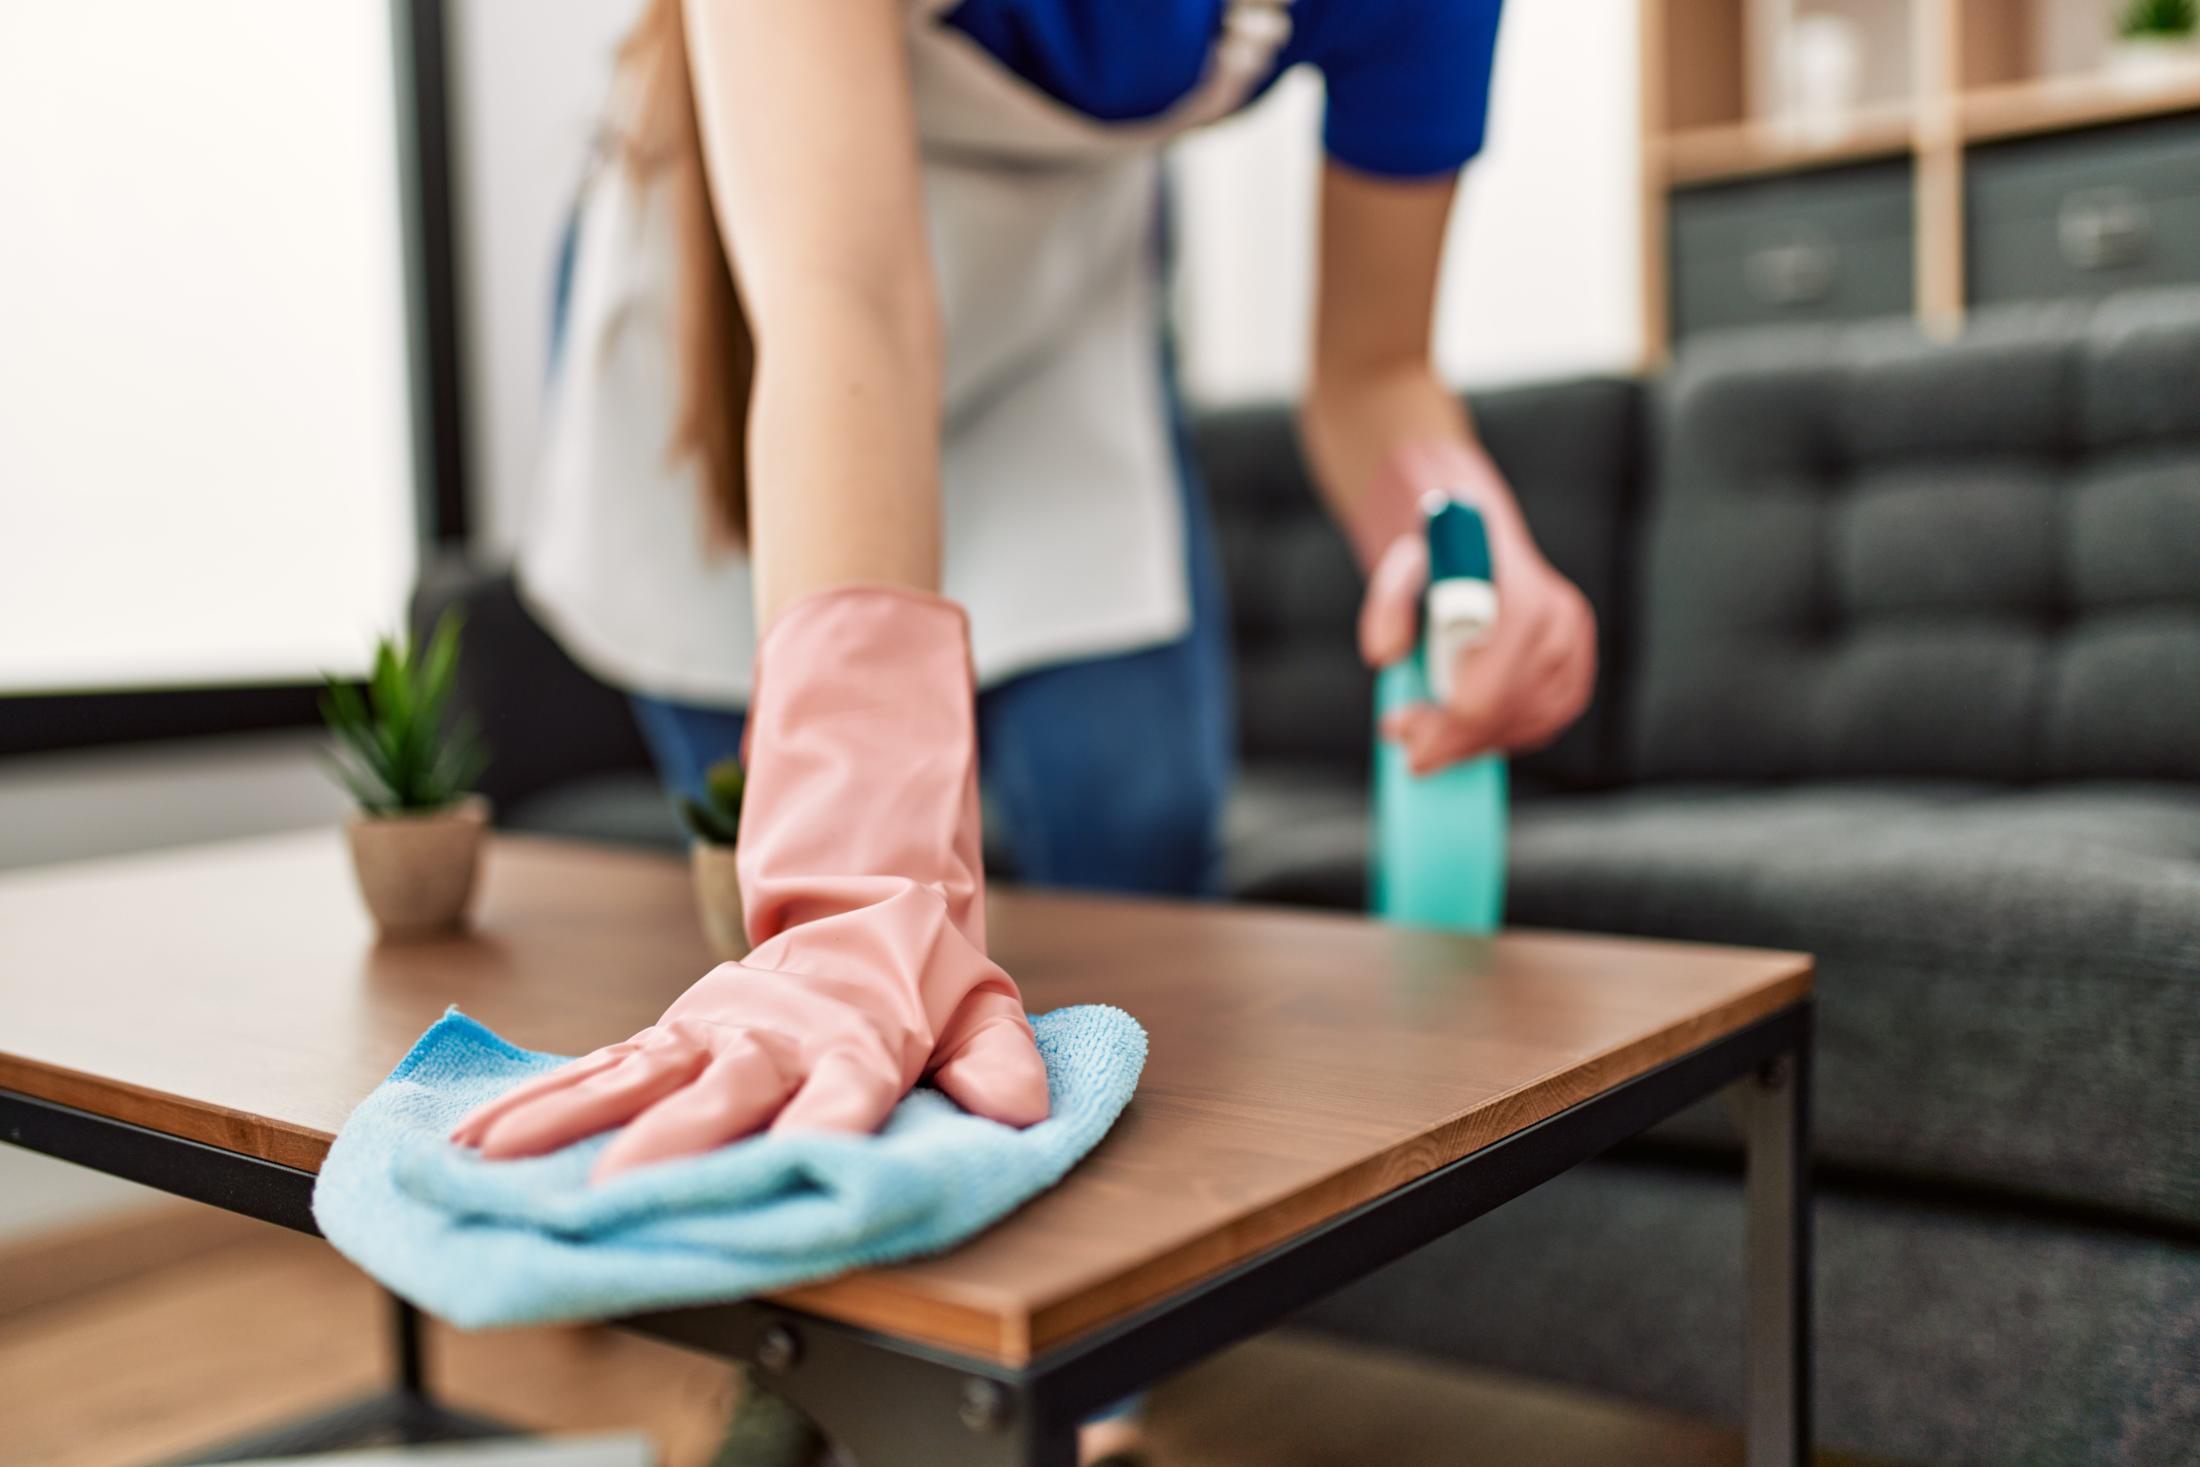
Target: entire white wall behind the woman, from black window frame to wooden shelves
x,y
1541,272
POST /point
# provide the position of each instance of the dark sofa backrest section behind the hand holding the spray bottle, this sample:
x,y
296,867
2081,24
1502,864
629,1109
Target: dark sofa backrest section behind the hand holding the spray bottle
x,y
1572,452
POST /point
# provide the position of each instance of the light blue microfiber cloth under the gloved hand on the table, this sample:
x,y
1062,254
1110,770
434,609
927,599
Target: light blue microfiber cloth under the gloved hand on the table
x,y
529,1242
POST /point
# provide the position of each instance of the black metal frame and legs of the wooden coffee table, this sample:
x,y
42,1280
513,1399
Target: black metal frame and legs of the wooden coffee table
x,y
903,1404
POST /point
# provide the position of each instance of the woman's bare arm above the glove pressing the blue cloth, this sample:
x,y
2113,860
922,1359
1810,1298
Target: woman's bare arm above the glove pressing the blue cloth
x,y
813,159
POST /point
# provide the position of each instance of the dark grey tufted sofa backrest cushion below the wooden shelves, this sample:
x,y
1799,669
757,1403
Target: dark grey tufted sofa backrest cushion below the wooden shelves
x,y
1878,555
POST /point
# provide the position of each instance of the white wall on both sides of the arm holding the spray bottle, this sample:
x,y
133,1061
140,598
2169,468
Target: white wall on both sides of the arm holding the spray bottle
x,y
1543,263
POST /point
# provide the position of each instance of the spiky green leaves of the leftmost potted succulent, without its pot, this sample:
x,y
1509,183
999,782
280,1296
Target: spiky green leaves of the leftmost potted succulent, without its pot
x,y
395,751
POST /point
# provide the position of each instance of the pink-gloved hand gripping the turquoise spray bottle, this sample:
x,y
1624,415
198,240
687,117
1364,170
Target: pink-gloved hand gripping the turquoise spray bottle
x,y
1532,676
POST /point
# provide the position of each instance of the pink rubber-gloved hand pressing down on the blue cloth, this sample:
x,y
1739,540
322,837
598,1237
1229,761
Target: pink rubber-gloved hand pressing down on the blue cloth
x,y
866,901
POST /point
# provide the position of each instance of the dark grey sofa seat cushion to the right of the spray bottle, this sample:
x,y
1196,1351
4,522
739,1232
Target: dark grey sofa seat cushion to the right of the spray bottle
x,y
2007,978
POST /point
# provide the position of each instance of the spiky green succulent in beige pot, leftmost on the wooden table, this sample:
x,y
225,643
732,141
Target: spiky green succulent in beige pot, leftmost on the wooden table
x,y
417,839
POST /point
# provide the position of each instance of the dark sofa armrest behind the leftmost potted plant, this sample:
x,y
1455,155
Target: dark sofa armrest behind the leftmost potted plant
x,y
542,718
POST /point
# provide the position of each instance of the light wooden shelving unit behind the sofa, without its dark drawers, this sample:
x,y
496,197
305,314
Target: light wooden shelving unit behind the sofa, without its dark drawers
x,y
1939,78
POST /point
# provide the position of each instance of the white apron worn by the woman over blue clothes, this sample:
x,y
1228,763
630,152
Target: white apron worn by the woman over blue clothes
x,y
1064,518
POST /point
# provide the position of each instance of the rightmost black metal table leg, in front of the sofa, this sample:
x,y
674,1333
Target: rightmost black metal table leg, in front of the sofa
x,y
1774,1110
